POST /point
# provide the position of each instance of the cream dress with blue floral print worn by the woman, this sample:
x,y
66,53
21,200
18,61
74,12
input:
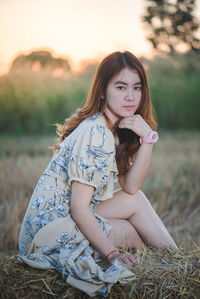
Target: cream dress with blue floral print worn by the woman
x,y
49,237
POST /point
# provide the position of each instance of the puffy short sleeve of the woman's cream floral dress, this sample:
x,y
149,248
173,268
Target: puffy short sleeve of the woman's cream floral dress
x,y
90,157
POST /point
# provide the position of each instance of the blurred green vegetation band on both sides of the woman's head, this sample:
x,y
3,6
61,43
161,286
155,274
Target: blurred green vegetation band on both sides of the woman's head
x,y
32,102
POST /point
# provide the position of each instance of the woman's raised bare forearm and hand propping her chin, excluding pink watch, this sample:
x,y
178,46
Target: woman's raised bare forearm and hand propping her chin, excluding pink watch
x,y
133,179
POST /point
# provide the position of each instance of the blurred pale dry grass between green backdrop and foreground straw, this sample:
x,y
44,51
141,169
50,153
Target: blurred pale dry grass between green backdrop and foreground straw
x,y
172,184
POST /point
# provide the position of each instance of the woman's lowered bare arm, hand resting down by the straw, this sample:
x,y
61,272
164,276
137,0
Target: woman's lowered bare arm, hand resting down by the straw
x,y
88,225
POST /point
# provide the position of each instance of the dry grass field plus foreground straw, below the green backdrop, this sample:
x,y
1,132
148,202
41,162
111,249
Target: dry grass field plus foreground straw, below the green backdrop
x,y
172,186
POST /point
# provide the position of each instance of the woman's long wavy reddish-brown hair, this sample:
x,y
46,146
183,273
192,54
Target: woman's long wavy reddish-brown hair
x,y
128,140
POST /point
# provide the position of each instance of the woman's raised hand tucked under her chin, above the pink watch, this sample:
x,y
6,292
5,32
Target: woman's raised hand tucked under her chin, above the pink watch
x,y
137,124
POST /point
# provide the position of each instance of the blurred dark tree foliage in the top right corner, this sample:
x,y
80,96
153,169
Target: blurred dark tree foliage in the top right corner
x,y
172,25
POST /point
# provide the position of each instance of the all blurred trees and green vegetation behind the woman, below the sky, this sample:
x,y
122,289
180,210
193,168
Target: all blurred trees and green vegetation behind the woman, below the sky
x,y
41,90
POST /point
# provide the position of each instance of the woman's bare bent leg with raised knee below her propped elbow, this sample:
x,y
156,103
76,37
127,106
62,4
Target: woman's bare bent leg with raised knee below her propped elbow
x,y
139,212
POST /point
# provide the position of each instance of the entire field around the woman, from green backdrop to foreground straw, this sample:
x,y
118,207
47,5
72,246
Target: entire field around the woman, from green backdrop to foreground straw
x,y
32,102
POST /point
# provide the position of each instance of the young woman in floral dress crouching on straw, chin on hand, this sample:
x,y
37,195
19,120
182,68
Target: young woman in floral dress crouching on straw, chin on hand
x,y
74,219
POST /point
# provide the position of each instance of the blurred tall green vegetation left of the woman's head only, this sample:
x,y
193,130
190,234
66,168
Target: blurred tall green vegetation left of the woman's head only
x,y
33,102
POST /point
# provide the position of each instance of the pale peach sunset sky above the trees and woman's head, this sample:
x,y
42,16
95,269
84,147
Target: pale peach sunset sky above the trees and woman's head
x,y
79,29
